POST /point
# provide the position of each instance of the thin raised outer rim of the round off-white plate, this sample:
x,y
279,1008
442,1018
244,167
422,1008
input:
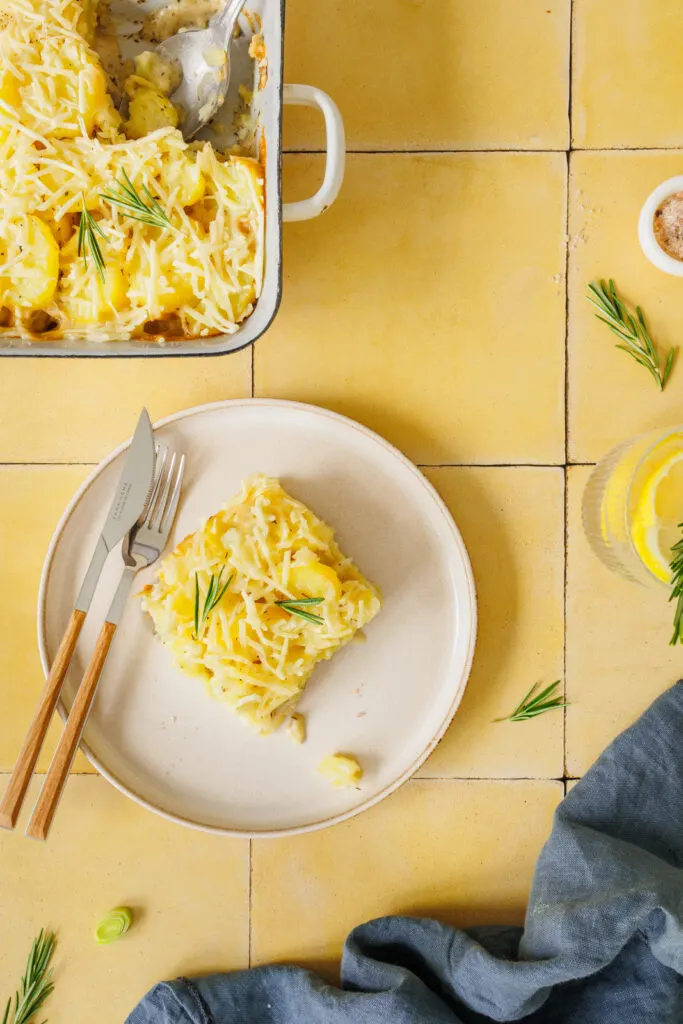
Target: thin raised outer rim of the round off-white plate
x,y
459,689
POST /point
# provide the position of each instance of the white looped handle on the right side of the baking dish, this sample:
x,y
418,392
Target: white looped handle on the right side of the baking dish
x,y
309,96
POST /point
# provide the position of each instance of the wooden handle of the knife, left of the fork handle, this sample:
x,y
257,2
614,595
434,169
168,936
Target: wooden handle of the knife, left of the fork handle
x,y
26,762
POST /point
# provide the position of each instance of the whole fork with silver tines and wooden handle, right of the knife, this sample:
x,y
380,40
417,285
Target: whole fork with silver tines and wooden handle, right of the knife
x,y
142,546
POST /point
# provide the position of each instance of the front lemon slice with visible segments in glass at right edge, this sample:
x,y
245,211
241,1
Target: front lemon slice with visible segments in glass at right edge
x,y
658,510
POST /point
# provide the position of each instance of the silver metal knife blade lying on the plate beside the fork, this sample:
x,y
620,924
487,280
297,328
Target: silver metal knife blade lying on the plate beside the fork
x,y
129,504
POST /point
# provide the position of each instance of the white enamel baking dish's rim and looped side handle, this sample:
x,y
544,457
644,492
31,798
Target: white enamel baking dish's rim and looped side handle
x,y
269,111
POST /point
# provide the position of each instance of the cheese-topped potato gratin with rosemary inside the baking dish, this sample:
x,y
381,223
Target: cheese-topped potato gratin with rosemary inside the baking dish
x,y
113,229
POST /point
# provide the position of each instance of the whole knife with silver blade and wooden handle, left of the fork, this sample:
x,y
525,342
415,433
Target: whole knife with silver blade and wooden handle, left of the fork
x,y
129,505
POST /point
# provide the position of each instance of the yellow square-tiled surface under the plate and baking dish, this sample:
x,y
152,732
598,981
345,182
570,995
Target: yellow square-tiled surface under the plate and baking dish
x,y
442,303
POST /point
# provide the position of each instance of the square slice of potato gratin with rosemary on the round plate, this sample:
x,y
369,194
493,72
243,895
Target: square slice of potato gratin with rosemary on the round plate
x,y
253,601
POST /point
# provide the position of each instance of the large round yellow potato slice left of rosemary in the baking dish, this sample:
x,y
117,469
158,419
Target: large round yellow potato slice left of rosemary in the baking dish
x,y
34,275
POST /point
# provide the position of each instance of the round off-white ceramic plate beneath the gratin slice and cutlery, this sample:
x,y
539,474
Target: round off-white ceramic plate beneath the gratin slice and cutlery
x,y
156,735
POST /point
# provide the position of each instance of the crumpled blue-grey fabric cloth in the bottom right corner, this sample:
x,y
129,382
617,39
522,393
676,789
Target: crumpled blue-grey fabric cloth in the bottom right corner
x,y
603,942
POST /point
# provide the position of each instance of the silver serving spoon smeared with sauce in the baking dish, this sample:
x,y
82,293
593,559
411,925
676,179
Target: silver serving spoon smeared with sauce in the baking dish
x,y
203,58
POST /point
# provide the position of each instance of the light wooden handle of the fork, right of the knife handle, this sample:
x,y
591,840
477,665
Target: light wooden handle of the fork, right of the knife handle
x,y
57,778
